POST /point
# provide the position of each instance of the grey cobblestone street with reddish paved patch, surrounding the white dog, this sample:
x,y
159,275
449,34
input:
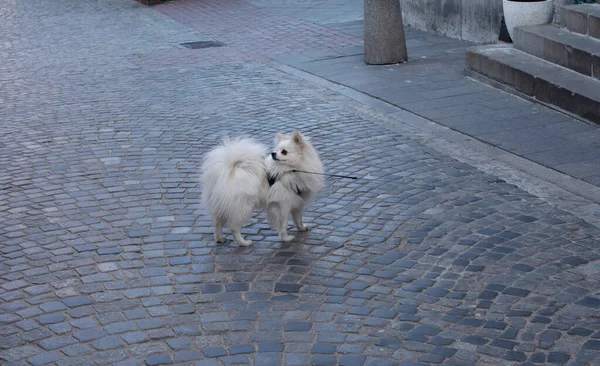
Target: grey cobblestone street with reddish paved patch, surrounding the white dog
x,y
107,258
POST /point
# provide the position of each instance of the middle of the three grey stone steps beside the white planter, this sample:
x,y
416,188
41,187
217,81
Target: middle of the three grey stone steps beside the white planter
x,y
560,46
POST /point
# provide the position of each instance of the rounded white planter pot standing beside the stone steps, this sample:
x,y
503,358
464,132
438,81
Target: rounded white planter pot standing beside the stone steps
x,y
518,13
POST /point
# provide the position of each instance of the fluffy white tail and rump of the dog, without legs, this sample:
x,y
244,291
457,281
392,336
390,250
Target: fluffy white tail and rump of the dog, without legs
x,y
234,180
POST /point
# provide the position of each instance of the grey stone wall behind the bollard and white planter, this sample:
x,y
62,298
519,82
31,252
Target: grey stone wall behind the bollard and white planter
x,y
473,20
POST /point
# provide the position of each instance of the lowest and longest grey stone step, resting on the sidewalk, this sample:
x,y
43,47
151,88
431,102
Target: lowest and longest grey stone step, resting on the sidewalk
x,y
536,78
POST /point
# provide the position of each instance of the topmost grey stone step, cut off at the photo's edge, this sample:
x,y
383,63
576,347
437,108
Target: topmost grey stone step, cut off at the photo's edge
x,y
581,18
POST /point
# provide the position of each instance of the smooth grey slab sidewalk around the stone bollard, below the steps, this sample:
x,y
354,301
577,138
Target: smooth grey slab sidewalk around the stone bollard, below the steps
x,y
432,85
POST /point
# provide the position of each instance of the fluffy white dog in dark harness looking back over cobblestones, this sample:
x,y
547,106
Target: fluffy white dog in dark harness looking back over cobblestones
x,y
236,179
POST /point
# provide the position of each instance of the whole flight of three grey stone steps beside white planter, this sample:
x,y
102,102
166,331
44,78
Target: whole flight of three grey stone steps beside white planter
x,y
554,64
